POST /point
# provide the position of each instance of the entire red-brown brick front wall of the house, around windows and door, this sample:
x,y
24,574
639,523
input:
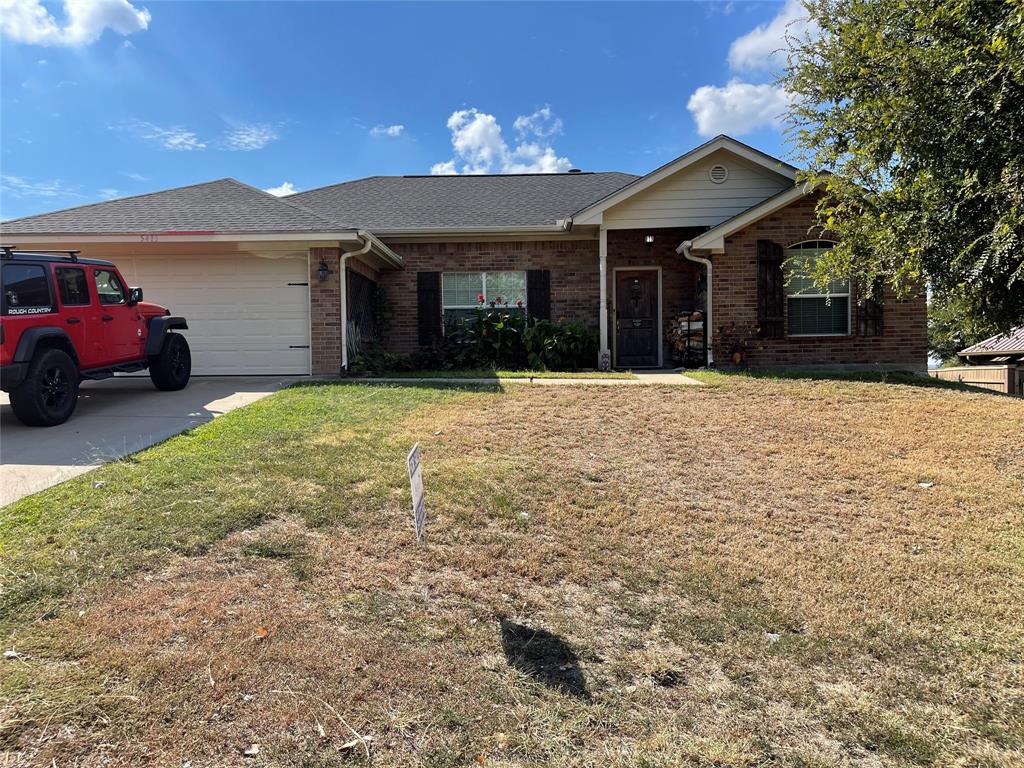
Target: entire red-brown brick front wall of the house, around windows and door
x,y
575,293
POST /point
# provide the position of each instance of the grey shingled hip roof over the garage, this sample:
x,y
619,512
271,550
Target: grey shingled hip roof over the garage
x,y
224,206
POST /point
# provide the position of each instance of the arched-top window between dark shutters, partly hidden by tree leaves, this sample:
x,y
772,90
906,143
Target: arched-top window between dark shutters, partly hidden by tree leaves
x,y
809,312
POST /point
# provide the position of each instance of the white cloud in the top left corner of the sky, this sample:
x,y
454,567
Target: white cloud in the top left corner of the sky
x,y
30,22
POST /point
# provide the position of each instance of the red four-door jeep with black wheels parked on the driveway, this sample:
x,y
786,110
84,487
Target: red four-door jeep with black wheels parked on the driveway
x,y
64,320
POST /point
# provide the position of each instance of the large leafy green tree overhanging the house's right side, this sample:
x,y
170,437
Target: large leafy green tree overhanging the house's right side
x,y
911,115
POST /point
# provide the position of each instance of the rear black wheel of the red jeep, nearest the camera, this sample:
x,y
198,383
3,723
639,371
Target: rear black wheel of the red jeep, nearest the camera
x,y
50,393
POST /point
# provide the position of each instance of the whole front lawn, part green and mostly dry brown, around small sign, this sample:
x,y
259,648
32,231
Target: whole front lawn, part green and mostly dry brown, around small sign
x,y
767,573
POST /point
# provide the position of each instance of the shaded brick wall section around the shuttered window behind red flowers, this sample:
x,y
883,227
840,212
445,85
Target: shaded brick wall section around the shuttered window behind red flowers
x,y
574,278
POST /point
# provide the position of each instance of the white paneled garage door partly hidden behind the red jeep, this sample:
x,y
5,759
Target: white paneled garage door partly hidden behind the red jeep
x,y
247,315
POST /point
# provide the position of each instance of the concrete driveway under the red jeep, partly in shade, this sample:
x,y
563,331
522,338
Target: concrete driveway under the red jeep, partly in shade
x,y
114,418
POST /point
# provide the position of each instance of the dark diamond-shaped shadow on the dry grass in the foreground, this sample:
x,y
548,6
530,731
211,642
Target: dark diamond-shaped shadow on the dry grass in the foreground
x,y
544,657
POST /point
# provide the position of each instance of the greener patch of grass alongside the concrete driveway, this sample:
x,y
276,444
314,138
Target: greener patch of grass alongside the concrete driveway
x,y
294,454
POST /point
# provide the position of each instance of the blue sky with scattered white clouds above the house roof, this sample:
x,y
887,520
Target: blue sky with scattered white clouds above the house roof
x,y
125,98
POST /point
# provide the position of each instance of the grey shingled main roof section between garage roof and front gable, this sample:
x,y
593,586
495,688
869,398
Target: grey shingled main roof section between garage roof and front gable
x,y
393,204
